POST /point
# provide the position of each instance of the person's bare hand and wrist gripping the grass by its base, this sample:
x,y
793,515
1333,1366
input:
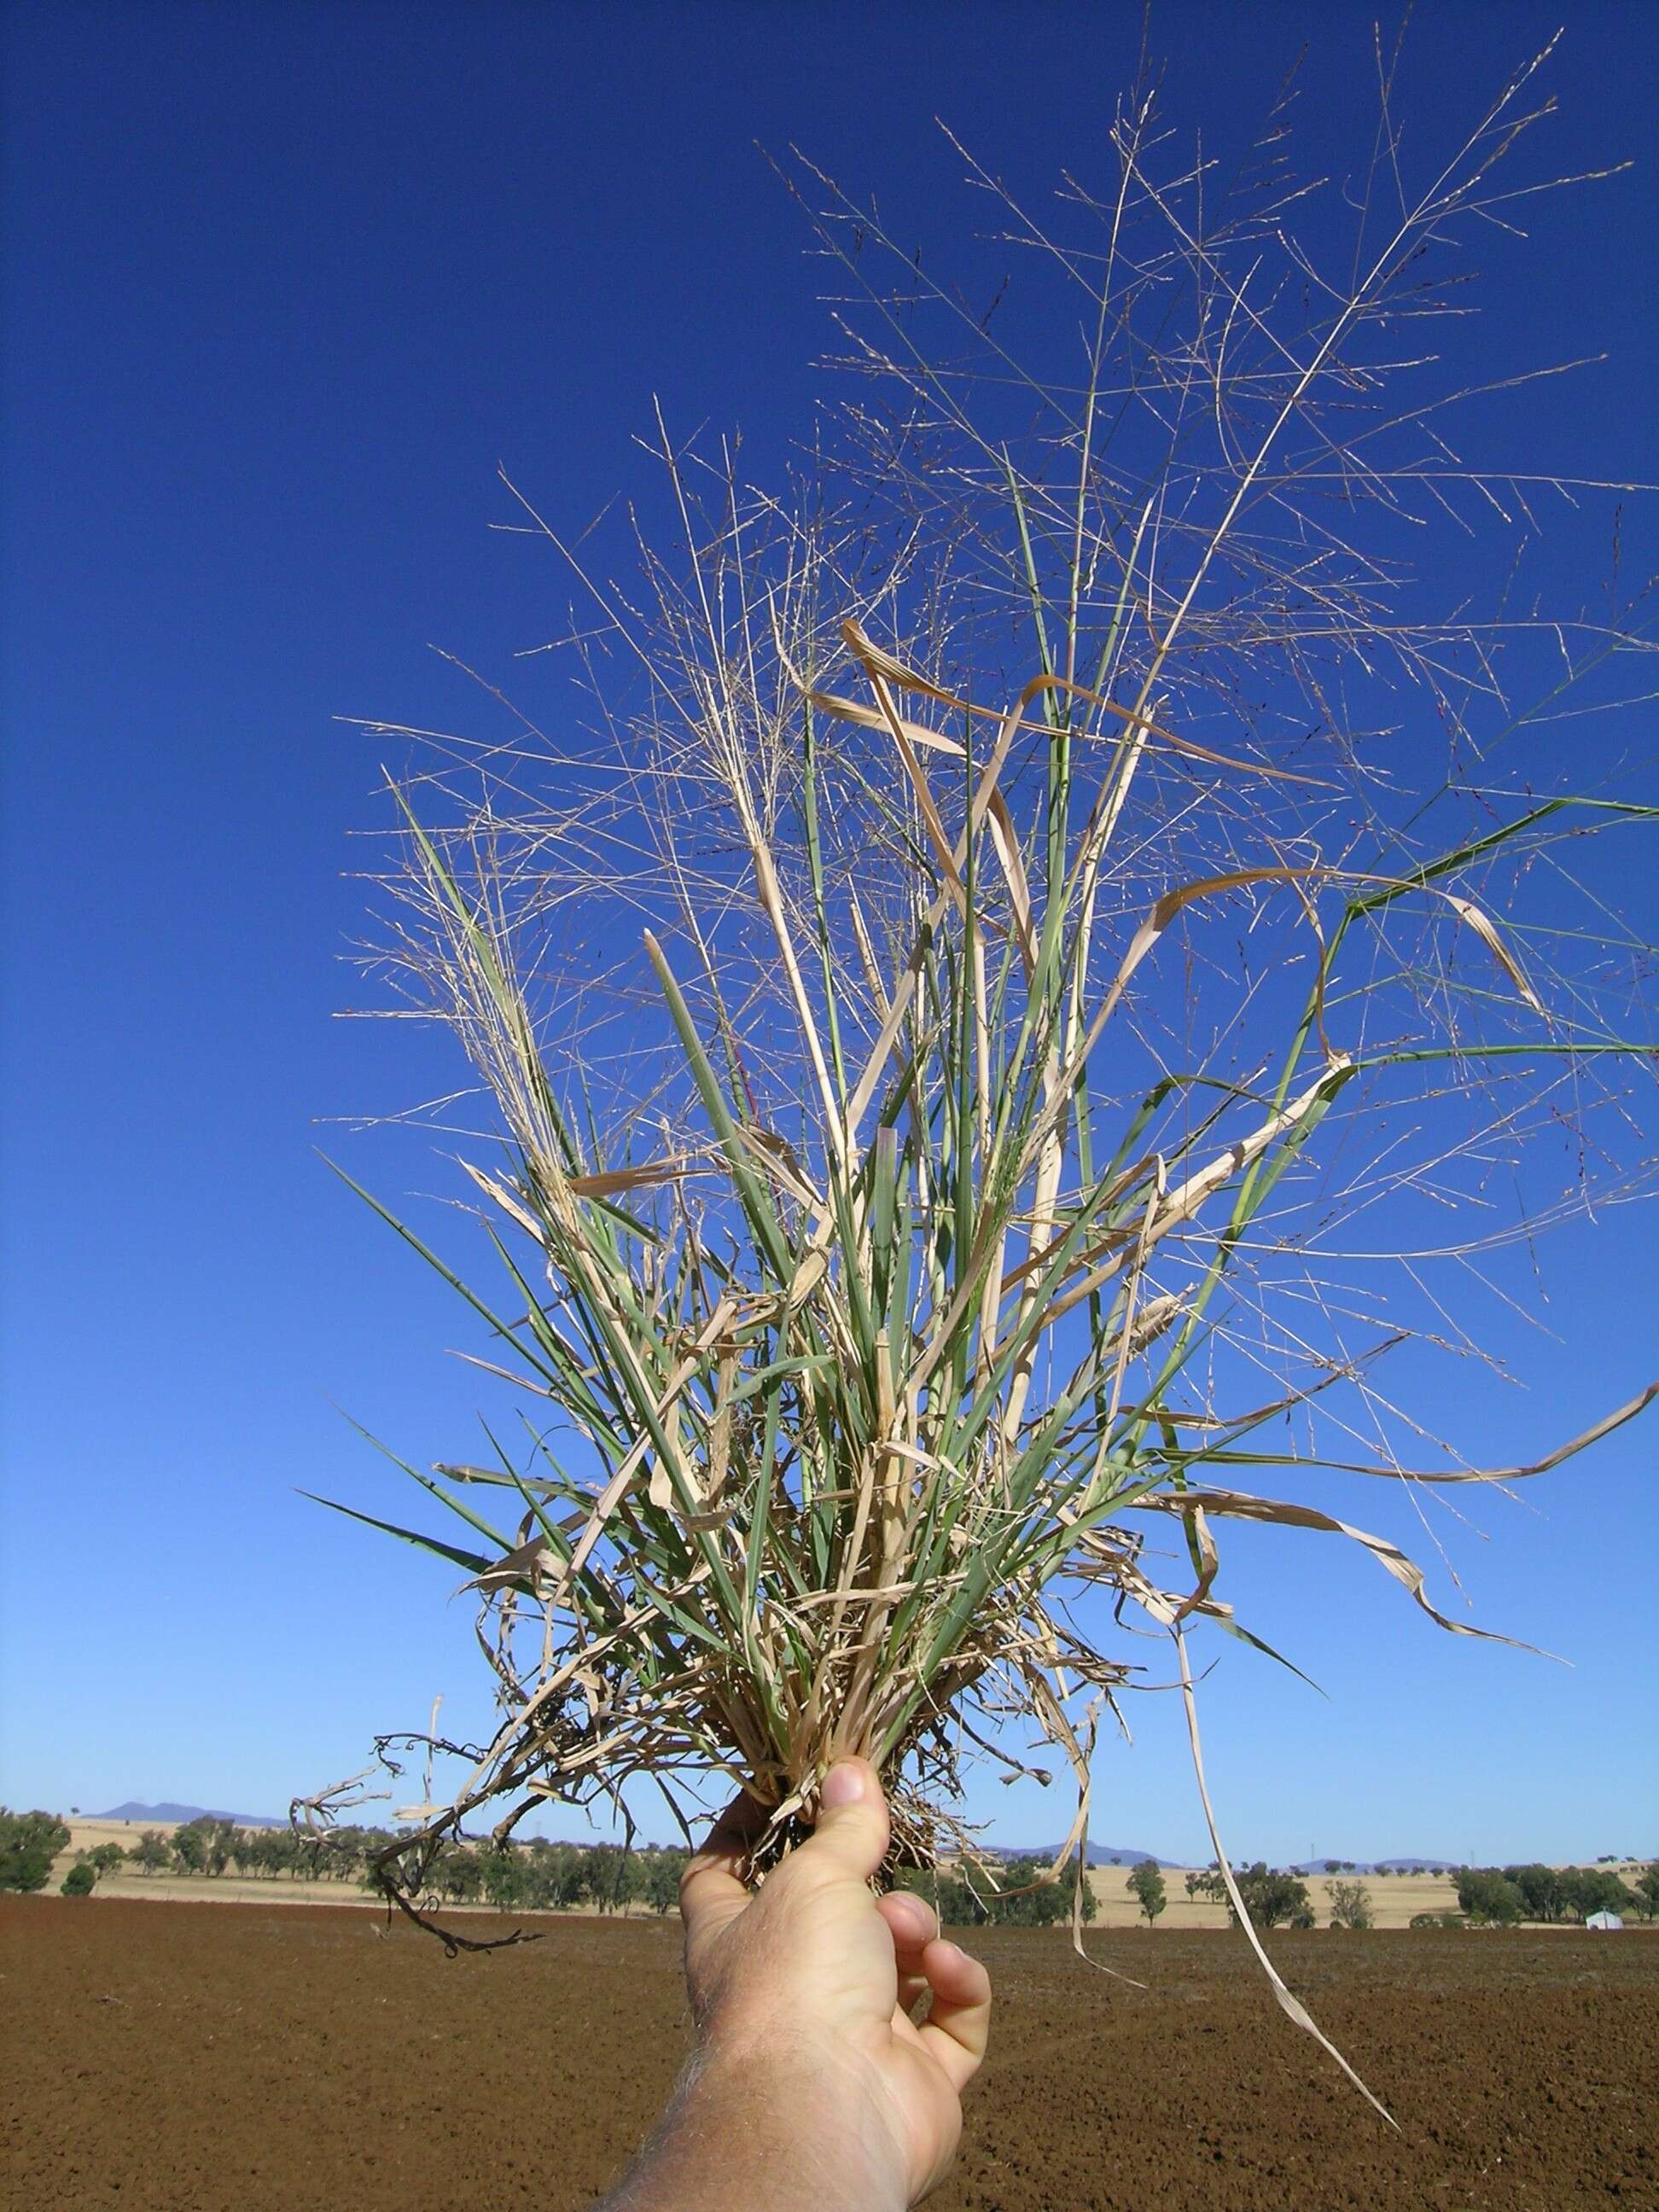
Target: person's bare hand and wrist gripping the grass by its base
x,y
813,2085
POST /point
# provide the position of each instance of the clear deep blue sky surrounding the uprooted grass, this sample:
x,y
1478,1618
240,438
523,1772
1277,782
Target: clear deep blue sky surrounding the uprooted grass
x,y
282,286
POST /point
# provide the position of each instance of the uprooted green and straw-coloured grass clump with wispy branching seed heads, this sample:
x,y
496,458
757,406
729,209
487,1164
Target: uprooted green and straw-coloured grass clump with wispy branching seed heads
x,y
939,1016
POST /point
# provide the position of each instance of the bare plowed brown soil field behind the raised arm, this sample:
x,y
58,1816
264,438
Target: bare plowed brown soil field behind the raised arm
x,y
165,2058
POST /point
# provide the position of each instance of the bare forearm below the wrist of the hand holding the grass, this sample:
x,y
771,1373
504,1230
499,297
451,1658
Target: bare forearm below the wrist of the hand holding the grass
x,y
742,2136
